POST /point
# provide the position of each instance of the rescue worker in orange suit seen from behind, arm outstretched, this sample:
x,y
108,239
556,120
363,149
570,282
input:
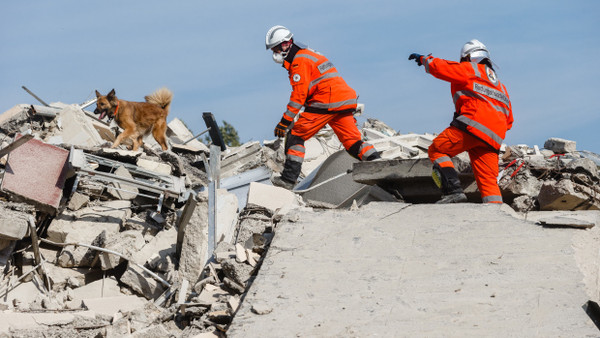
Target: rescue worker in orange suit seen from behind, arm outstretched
x,y
483,115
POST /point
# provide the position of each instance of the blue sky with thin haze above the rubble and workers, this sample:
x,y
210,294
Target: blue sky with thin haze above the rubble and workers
x,y
211,54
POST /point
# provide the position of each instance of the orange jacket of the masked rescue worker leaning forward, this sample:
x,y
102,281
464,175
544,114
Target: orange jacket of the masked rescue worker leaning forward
x,y
316,85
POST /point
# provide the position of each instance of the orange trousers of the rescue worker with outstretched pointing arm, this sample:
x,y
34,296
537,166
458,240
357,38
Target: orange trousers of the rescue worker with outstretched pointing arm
x,y
484,161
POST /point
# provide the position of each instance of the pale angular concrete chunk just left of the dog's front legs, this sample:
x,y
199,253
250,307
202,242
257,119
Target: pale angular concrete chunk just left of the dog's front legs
x,y
75,128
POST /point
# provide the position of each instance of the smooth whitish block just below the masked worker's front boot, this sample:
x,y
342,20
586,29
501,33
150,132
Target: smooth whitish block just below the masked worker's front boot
x,y
270,197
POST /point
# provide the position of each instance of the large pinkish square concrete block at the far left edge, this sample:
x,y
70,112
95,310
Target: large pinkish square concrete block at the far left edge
x,y
36,171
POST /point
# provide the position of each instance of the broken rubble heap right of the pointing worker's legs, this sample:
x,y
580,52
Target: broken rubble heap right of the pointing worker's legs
x,y
557,177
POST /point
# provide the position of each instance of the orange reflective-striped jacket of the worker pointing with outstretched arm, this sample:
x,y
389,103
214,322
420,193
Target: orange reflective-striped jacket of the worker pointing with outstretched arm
x,y
483,107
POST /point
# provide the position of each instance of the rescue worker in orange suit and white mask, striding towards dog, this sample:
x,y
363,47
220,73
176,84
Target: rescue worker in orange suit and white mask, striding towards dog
x,y
326,98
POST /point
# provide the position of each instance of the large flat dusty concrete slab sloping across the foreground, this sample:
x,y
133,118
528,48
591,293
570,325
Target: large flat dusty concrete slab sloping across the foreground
x,y
397,269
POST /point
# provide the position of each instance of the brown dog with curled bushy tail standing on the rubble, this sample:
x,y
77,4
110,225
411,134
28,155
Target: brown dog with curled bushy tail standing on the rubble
x,y
137,119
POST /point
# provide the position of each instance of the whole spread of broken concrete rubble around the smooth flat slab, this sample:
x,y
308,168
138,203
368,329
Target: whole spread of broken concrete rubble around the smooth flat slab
x,y
109,242
